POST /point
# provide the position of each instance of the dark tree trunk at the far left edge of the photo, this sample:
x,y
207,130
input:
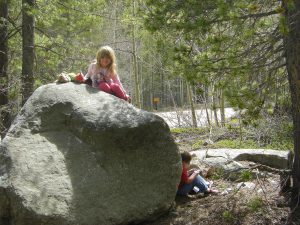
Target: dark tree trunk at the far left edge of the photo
x,y
4,112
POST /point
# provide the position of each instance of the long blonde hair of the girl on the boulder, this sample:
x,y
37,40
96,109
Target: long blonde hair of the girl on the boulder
x,y
107,51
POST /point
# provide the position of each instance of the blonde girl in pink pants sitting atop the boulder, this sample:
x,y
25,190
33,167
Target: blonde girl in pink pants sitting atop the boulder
x,y
103,73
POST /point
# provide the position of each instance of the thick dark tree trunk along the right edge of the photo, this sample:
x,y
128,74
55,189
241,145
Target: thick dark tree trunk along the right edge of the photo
x,y
292,53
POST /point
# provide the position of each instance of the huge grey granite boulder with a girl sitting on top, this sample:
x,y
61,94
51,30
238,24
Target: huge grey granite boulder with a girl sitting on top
x,y
75,155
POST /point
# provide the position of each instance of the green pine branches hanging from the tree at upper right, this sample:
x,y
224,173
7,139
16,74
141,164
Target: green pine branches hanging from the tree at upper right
x,y
218,42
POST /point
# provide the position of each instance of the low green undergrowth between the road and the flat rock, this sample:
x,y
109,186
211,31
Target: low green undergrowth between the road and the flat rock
x,y
277,137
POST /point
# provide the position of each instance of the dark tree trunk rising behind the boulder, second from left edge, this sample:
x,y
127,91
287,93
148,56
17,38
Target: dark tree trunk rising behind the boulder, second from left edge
x,y
28,48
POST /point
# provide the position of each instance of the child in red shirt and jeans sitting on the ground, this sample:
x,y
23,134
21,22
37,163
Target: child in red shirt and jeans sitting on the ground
x,y
192,182
